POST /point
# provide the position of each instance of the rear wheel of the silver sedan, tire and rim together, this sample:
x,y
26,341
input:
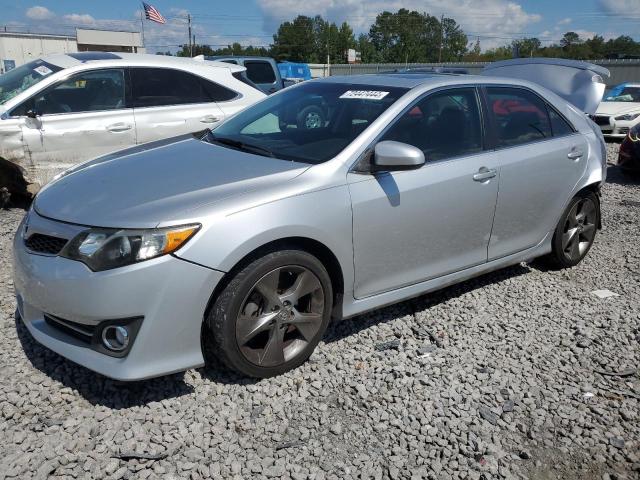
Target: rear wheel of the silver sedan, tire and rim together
x,y
575,232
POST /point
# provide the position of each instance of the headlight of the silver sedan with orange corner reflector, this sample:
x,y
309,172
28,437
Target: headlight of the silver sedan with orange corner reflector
x,y
102,249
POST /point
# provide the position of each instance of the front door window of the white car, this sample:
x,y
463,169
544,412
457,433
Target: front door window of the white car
x,y
92,91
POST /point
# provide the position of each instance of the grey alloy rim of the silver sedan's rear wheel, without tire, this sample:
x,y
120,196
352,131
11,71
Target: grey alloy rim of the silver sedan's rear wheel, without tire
x,y
579,229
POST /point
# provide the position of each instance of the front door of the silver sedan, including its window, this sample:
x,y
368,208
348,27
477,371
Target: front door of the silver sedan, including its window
x,y
411,226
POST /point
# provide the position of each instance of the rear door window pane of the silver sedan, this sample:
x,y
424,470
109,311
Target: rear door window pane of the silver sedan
x,y
519,116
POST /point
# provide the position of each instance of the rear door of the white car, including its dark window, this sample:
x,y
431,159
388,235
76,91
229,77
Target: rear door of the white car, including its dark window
x,y
169,102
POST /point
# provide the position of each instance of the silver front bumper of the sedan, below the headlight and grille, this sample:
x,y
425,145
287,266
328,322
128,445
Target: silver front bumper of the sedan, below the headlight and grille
x,y
170,294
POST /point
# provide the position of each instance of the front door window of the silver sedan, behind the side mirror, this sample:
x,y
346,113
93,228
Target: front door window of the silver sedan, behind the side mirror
x,y
443,125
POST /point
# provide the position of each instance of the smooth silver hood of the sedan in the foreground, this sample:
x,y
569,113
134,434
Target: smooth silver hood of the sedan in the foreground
x,y
144,186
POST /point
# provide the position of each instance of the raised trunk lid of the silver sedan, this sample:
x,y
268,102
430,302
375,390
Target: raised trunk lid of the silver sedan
x,y
580,83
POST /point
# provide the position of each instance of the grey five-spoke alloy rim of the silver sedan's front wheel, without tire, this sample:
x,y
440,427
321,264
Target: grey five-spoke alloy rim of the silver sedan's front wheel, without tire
x,y
282,313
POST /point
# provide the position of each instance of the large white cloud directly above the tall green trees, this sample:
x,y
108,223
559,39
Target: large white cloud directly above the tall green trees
x,y
494,21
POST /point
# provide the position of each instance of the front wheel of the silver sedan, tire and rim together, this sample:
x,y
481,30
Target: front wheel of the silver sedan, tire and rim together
x,y
280,300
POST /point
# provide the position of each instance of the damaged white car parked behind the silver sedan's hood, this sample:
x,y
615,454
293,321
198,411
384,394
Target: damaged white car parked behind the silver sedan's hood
x,y
61,110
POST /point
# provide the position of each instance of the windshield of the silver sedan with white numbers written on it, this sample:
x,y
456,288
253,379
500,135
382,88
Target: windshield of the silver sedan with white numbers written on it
x,y
311,123
